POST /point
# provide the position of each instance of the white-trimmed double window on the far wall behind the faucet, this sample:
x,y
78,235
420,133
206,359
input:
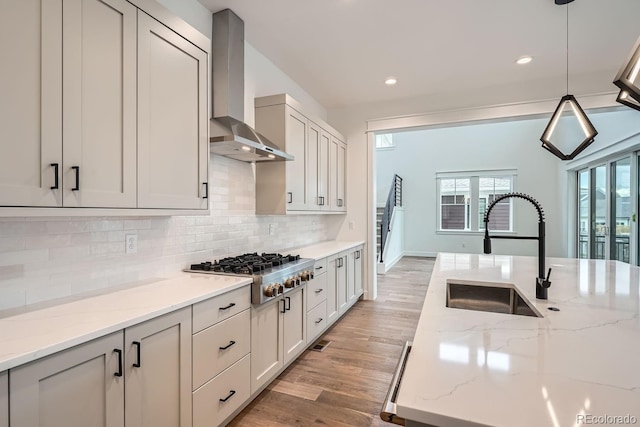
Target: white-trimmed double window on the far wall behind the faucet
x,y
463,198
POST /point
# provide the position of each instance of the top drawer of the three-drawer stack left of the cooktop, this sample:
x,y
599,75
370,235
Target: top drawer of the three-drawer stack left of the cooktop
x,y
216,309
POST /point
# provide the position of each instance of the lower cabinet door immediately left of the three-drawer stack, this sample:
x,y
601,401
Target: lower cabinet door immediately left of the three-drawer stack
x,y
158,371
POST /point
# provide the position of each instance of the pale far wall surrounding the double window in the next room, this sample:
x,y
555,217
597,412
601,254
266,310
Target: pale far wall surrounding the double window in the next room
x,y
419,155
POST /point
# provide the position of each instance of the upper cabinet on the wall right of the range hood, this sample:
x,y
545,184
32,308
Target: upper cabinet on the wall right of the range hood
x,y
311,181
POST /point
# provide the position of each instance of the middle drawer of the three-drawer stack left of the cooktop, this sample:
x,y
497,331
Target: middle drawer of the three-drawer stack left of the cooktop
x,y
209,356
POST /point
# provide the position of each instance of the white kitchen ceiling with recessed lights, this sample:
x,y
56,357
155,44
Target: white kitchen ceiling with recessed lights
x,y
341,51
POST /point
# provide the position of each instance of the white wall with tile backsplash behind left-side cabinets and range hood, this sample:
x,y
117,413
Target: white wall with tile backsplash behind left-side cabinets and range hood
x,y
42,259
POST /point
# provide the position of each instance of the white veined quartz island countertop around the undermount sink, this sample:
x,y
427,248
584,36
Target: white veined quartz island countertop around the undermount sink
x,y
475,368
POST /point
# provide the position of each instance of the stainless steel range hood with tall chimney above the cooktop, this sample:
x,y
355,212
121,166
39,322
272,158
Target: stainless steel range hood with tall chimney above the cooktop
x,y
230,136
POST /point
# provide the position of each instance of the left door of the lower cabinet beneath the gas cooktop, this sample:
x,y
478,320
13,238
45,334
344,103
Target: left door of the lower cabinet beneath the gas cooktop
x,y
266,342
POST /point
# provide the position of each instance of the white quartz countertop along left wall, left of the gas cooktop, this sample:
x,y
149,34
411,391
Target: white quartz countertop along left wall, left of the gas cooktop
x,y
34,334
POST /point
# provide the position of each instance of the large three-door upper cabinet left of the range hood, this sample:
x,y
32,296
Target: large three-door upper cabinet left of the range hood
x,y
101,108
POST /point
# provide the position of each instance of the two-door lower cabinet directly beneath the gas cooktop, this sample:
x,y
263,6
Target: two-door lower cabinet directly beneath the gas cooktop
x,y
278,335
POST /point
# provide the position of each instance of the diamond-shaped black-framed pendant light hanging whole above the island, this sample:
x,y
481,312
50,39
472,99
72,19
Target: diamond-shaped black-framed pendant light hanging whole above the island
x,y
562,142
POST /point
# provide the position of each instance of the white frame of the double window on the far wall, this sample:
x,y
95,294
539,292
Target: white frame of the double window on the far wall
x,y
474,200
